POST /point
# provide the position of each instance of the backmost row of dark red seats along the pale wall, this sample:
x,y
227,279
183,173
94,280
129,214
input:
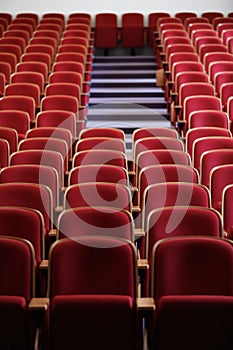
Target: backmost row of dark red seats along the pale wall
x,y
107,23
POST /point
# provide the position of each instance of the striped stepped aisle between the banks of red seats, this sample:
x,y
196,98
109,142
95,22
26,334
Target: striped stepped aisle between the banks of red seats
x,y
124,94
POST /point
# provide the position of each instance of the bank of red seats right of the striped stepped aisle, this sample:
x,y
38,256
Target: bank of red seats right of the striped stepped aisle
x,y
203,114
